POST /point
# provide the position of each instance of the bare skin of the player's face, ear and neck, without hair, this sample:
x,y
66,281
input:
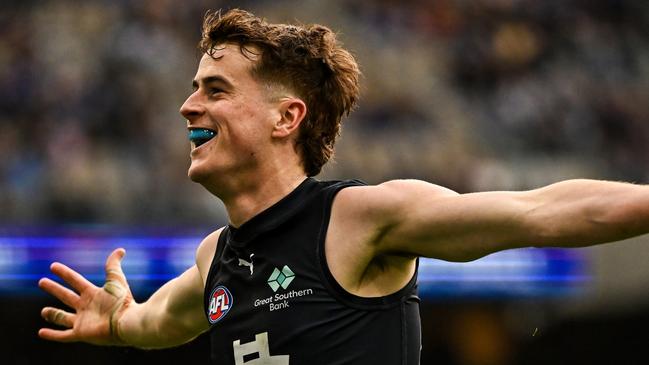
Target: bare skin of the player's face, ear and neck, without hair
x,y
256,133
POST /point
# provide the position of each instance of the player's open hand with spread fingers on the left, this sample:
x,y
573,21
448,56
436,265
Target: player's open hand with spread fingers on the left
x,y
96,310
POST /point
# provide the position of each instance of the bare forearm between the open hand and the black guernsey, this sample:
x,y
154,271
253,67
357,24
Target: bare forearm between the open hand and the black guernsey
x,y
172,316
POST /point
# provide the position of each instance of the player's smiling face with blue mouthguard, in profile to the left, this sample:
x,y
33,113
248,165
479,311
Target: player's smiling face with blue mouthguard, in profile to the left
x,y
230,105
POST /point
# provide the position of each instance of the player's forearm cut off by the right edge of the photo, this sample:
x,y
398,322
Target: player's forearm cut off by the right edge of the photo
x,y
578,213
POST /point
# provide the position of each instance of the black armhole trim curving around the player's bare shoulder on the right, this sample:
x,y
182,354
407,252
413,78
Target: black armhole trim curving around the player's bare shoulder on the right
x,y
331,284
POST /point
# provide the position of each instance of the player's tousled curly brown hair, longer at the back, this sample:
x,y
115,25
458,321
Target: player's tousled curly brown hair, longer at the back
x,y
307,60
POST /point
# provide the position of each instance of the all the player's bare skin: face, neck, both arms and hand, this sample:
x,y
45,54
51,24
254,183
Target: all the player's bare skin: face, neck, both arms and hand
x,y
375,233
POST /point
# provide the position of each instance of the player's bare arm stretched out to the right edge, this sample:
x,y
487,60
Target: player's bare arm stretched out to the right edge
x,y
419,219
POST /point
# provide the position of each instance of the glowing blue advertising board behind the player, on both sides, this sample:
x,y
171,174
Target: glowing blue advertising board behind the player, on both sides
x,y
155,256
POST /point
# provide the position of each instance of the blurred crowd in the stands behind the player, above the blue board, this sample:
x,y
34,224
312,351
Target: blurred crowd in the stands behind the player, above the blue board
x,y
470,94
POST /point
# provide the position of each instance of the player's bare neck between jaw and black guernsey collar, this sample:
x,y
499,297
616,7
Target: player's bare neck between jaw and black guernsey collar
x,y
245,197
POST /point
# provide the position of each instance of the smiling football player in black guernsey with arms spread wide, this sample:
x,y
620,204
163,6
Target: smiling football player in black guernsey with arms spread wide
x,y
311,271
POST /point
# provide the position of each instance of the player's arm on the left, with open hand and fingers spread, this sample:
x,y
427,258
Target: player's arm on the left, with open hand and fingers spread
x,y
109,315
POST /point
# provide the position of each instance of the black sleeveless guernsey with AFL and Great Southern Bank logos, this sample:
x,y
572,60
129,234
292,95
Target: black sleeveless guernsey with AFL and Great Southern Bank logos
x,y
271,299
